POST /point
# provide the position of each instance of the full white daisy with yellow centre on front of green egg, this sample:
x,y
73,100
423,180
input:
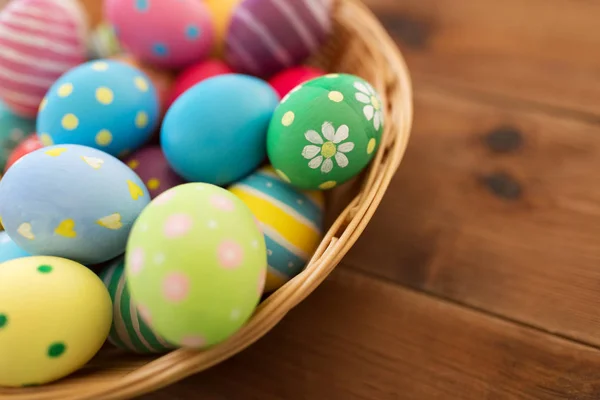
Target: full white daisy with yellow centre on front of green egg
x,y
327,147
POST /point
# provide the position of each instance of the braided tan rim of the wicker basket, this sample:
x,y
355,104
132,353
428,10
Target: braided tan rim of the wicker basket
x,y
343,233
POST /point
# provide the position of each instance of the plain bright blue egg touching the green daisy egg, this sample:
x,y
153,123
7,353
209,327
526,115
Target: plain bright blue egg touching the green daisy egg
x,y
216,131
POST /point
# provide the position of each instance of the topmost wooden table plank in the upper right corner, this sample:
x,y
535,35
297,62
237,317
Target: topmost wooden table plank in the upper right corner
x,y
541,51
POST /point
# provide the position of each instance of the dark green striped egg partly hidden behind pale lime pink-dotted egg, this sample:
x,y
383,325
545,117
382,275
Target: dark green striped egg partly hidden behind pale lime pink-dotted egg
x,y
128,330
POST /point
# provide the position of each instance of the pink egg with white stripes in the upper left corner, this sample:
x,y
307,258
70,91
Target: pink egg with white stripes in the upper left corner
x,y
42,40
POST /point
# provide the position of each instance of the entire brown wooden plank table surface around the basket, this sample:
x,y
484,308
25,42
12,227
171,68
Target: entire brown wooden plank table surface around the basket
x,y
479,276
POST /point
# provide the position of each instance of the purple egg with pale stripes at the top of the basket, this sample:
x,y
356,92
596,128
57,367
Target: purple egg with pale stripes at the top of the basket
x,y
267,36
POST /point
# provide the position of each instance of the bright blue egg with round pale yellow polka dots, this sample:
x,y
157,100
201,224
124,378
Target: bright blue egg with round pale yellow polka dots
x,y
104,104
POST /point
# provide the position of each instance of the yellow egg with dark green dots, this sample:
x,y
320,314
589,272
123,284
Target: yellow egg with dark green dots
x,y
55,315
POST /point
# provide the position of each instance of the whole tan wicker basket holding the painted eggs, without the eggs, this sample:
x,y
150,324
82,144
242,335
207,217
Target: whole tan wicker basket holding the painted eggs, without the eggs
x,y
361,46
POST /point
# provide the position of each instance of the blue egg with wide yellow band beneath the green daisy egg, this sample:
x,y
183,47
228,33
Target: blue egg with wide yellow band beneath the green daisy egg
x,y
291,220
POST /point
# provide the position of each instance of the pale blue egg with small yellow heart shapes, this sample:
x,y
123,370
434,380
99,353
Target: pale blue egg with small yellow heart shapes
x,y
71,201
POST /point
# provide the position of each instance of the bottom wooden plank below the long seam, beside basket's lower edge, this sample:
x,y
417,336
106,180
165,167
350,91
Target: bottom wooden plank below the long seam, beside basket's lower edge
x,y
414,347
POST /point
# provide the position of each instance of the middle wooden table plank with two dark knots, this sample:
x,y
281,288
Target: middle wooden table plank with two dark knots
x,y
497,208
